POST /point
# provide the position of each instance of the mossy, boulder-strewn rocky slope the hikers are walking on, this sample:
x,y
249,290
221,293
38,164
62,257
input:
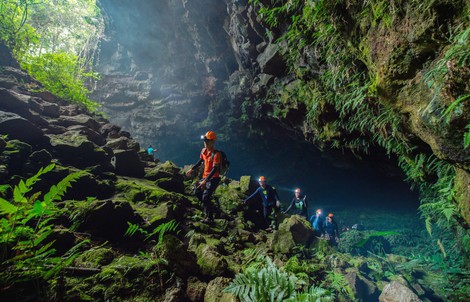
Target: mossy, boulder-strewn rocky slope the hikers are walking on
x,y
121,185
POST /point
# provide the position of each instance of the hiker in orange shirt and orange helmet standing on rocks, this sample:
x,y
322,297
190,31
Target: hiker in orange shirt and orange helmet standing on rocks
x,y
211,176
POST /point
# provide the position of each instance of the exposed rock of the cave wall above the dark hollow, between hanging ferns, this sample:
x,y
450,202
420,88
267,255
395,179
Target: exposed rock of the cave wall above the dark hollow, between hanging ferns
x,y
174,68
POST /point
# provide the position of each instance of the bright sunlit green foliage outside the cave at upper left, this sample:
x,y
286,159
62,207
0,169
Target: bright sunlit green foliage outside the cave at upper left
x,y
60,59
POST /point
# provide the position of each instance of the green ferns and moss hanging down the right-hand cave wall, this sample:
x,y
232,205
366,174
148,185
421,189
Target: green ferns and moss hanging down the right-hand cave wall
x,y
344,108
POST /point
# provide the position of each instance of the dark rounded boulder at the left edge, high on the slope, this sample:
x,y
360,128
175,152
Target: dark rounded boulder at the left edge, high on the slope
x,y
17,127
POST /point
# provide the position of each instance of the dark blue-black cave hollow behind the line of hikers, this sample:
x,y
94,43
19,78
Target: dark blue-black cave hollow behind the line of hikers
x,y
336,181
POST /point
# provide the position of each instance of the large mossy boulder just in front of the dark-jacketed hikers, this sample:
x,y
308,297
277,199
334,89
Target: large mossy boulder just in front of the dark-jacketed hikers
x,y
292,231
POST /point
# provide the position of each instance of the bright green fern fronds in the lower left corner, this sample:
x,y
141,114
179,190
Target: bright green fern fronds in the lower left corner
x,y
27,252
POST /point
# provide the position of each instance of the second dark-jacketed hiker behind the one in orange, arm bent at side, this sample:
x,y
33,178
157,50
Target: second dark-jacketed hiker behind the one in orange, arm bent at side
x,y
269,200
